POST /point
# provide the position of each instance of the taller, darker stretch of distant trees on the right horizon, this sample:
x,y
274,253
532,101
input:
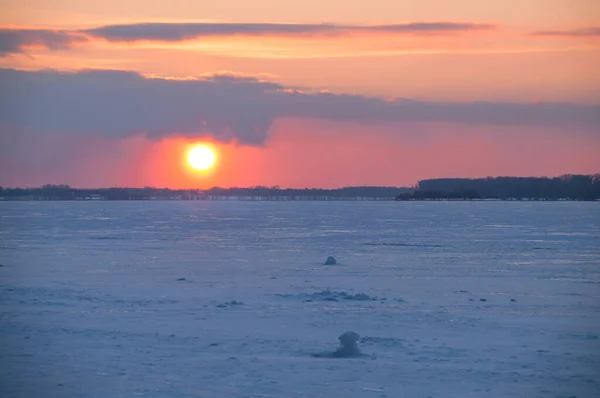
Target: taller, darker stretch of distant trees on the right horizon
x,y
569,187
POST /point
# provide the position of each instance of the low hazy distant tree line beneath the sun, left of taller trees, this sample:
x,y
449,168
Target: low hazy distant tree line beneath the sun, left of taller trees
x,y
65,192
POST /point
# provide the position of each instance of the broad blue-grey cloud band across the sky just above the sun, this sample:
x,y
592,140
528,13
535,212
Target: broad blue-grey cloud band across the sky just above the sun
x,y
122,104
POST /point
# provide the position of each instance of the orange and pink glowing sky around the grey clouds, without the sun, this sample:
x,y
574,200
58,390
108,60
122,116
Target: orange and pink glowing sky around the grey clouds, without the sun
x,y
541,51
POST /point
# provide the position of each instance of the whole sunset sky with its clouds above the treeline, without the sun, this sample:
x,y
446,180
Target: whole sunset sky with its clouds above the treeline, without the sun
x,y
312,93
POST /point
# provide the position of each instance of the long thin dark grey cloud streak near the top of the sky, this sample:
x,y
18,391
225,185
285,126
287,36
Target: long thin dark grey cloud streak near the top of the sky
x,y
188,31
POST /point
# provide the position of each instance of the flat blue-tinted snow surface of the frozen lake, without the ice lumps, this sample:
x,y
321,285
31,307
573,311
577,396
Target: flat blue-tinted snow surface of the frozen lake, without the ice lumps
x,y
231,299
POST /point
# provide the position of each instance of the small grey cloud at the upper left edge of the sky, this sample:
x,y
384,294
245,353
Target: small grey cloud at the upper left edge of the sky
x,y
16,40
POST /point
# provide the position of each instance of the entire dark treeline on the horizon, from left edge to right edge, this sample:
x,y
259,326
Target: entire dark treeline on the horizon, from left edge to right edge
x,y
566,187
